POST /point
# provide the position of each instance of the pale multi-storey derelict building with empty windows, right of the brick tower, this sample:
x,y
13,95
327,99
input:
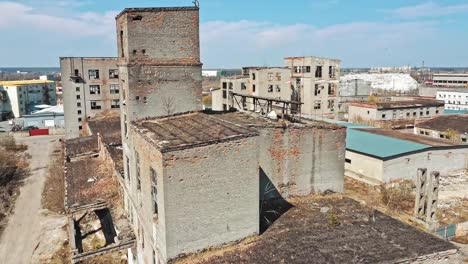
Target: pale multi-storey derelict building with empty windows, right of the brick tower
x,y
306,85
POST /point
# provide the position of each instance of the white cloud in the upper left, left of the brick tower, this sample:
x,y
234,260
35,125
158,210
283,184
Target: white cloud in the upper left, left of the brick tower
x,y
80,25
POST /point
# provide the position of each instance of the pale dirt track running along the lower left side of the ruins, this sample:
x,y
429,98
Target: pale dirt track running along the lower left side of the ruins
x,y
33,233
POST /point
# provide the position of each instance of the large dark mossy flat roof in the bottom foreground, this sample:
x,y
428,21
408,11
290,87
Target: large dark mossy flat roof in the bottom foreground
x,y
304,234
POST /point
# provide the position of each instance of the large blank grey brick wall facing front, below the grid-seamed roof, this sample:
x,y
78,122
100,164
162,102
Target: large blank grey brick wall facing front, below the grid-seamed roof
x,y
211,195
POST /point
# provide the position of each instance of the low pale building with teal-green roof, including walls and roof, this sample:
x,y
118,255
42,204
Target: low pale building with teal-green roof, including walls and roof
x,y
377,156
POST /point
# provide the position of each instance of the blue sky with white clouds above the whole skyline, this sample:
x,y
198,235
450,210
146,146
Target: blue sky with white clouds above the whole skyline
x,y
235,33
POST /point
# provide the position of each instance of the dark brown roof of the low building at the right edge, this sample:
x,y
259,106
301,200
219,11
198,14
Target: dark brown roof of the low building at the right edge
x,y
458,123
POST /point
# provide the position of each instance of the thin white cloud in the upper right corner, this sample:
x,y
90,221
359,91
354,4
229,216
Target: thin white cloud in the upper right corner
x,y
429,9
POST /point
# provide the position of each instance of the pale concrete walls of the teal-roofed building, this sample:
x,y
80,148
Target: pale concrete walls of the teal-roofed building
x,y
444,161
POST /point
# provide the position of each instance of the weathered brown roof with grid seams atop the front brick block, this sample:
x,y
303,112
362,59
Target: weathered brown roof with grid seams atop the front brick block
x,y
190,130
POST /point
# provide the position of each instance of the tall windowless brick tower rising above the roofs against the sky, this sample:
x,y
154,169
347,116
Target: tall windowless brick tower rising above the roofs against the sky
x,y
159,56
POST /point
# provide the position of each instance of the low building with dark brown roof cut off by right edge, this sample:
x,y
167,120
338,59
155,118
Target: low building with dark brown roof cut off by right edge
x,y
450,127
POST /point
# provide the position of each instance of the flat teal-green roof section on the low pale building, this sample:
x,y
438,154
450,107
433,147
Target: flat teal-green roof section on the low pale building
x,y
378,145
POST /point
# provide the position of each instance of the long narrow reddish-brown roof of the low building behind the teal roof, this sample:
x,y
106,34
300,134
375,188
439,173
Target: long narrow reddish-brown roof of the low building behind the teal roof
x,y
400,104
